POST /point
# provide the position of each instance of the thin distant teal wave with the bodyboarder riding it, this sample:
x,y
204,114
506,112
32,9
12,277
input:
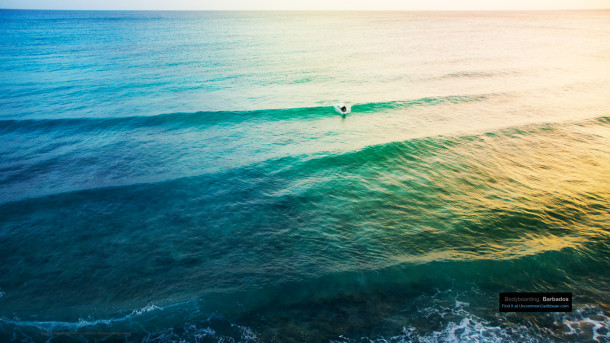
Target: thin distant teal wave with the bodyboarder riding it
x,y
203,118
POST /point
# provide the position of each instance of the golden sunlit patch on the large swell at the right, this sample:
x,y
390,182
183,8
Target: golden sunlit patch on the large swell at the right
x,y
517,192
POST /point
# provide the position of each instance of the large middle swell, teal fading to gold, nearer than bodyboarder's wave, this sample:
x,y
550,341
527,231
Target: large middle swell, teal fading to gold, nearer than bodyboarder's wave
x,y
478,184
